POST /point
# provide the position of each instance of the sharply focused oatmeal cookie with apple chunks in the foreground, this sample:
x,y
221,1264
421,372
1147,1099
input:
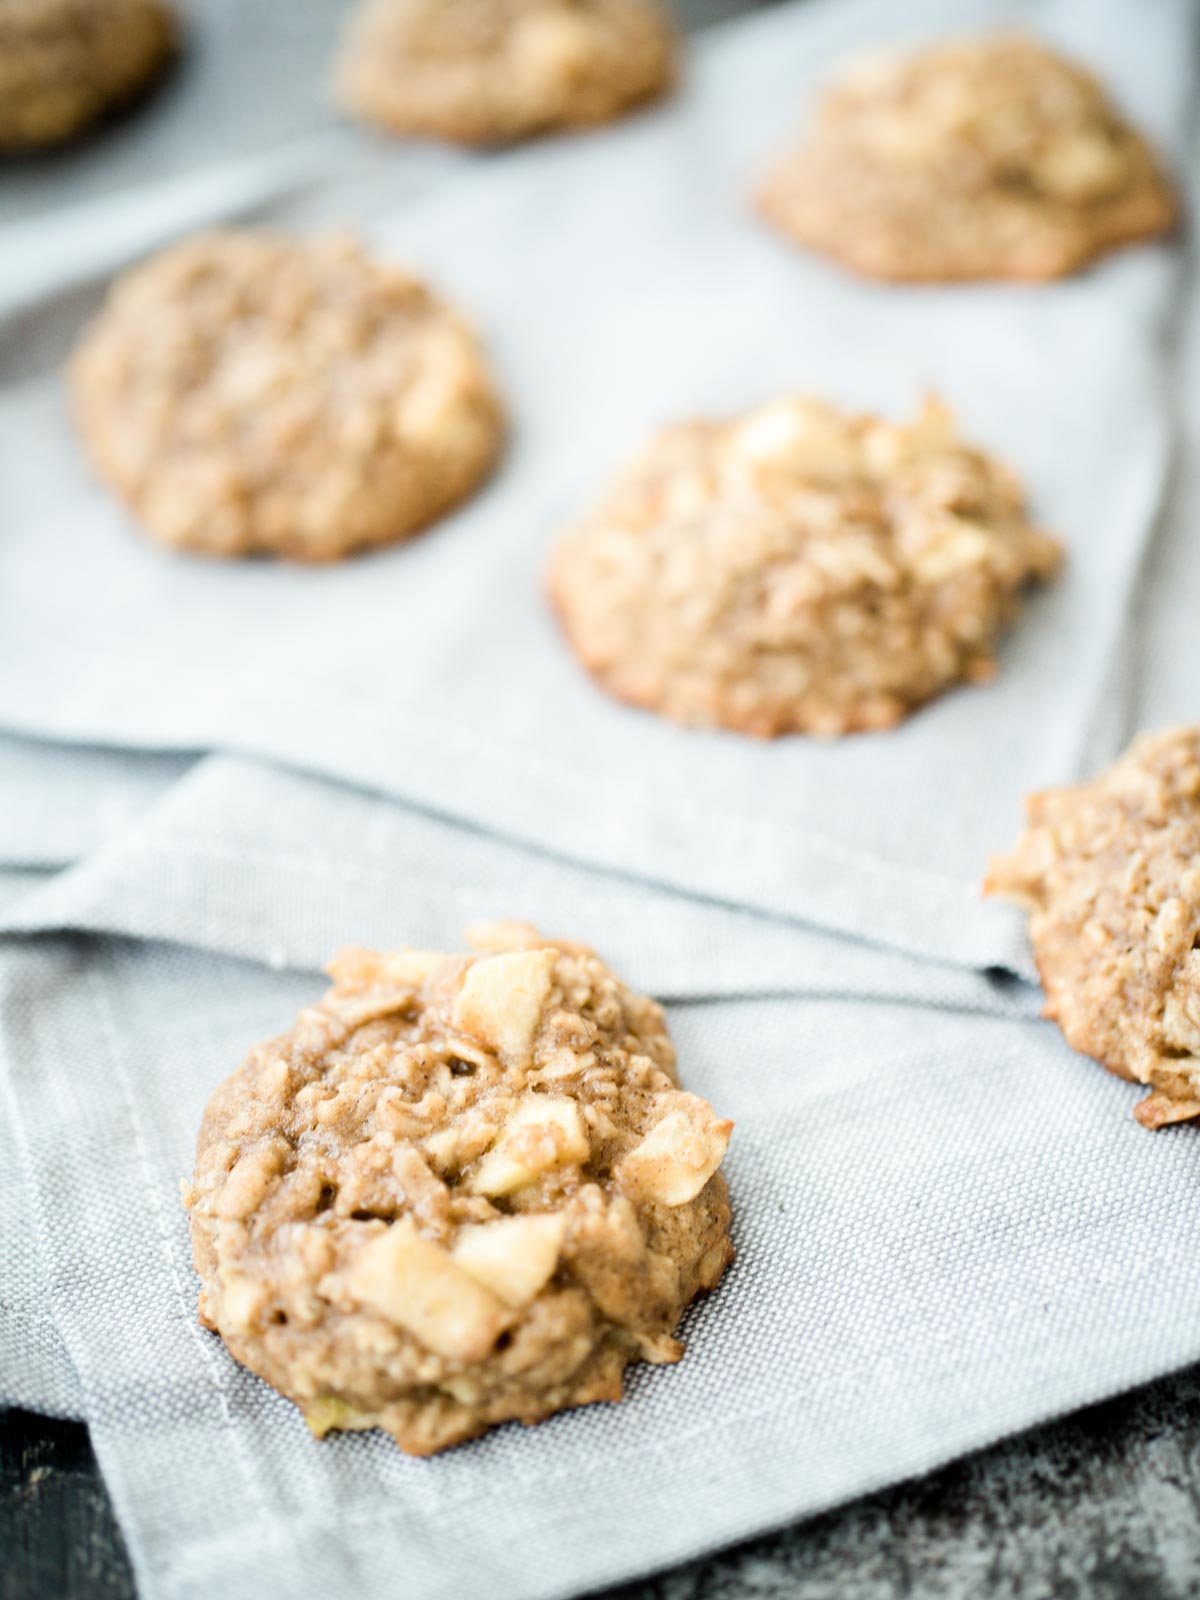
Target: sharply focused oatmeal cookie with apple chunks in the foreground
x,y
462,1190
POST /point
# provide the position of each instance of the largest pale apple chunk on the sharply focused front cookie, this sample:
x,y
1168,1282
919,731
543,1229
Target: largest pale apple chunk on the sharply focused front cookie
x,y
414,1284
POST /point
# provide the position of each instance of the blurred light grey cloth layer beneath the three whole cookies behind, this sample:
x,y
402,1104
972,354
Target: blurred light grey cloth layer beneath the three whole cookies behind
x,y
622,282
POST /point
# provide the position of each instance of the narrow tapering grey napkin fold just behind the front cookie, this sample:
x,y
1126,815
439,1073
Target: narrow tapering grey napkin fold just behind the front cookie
x,y
284,870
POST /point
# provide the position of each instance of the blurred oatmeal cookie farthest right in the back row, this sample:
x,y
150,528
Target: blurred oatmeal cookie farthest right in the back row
x,y
978,159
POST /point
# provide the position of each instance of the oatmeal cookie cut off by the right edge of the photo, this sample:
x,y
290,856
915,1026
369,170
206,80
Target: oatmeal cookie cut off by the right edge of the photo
x,y
1110,873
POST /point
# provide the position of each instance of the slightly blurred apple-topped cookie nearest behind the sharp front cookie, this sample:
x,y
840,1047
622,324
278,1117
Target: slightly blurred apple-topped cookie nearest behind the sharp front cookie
x,y
801,570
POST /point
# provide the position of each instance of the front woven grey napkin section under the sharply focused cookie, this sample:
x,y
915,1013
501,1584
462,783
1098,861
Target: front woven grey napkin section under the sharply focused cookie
x,y
948,1226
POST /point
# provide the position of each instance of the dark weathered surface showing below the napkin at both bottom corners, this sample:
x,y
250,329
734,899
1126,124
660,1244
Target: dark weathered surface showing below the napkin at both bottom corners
x,y
1103,1505
